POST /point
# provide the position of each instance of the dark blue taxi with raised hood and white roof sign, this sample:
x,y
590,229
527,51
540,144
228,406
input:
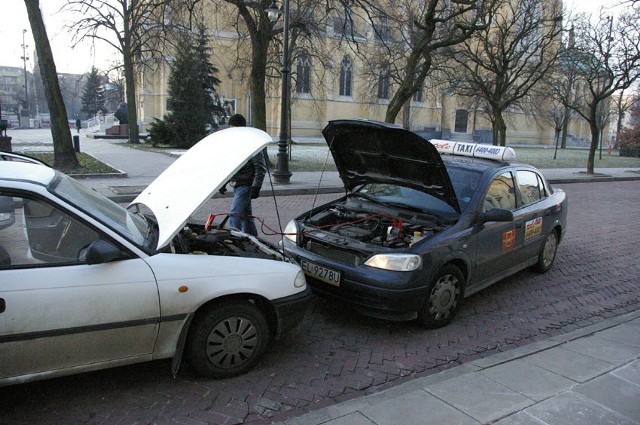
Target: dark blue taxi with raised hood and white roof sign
x,y
423,223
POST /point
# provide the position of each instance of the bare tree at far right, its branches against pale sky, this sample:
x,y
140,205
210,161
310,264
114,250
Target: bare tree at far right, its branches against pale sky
x,y
606,57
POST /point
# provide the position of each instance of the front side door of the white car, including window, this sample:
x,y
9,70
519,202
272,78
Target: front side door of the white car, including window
x,y
57,311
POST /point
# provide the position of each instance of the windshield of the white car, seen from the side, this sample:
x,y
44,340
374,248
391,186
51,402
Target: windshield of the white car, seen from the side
x,y
131,226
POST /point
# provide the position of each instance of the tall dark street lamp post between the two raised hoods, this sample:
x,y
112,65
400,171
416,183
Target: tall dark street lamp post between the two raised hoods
x,y
282,175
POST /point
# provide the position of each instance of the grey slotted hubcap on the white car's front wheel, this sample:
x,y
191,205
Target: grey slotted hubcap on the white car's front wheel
x,y
232,342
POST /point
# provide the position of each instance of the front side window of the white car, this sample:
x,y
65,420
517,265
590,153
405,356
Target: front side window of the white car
x,y
34,232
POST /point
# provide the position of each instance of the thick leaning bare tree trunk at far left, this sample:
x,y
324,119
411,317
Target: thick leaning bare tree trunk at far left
x,y
63,152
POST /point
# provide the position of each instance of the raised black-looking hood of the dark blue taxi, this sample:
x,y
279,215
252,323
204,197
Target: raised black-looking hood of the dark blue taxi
x,y
376,152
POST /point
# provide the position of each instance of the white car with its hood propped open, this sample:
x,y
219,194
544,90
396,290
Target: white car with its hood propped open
x,y
86,284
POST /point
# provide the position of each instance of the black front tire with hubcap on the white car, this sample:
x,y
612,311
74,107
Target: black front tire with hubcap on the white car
x,y
228,340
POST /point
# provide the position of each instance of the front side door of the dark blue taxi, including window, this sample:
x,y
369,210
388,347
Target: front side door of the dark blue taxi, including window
x,y
497,241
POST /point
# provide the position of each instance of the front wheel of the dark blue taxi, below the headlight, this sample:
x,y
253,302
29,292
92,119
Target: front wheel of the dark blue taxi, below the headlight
x,y
444,298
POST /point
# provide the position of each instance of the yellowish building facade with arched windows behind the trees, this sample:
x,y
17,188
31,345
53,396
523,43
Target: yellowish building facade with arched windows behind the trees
x,y
333,81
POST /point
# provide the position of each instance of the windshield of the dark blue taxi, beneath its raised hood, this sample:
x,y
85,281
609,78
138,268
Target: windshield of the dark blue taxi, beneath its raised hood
x,y
404,197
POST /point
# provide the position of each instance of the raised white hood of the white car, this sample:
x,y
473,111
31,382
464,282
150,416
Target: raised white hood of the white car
x,y
196,175
